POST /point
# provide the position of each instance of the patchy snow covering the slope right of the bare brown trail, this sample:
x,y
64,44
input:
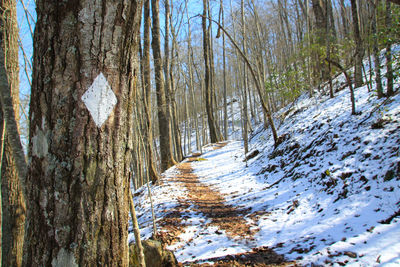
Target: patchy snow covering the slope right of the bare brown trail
x,y
339,180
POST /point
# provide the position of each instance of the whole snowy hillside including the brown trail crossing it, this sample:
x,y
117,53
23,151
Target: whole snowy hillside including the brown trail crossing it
x,y
328,194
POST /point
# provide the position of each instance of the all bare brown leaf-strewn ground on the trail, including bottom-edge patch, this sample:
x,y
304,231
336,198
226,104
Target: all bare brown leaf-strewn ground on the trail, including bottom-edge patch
x,y
201,198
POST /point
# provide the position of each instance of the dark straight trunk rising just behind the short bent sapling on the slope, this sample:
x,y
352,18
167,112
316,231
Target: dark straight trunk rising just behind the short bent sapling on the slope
x,y
359,46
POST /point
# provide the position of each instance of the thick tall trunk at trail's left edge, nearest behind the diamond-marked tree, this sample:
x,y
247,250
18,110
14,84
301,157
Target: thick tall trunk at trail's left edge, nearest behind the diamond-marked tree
x,y
164,125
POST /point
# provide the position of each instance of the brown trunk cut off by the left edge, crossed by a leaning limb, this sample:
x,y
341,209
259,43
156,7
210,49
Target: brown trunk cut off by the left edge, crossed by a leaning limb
x,y
13,203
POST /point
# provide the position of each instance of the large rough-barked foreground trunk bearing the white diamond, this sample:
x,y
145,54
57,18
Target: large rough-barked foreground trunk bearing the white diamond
x,y
78,208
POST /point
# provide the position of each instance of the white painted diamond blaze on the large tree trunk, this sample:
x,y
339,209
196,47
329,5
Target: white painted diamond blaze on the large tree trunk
x,y
99,100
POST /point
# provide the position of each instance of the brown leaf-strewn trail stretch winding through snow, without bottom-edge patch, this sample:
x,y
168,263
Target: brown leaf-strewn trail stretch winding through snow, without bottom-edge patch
x,y
209,202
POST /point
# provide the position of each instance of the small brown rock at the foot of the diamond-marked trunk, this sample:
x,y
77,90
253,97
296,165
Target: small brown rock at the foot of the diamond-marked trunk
x,y
155,255
